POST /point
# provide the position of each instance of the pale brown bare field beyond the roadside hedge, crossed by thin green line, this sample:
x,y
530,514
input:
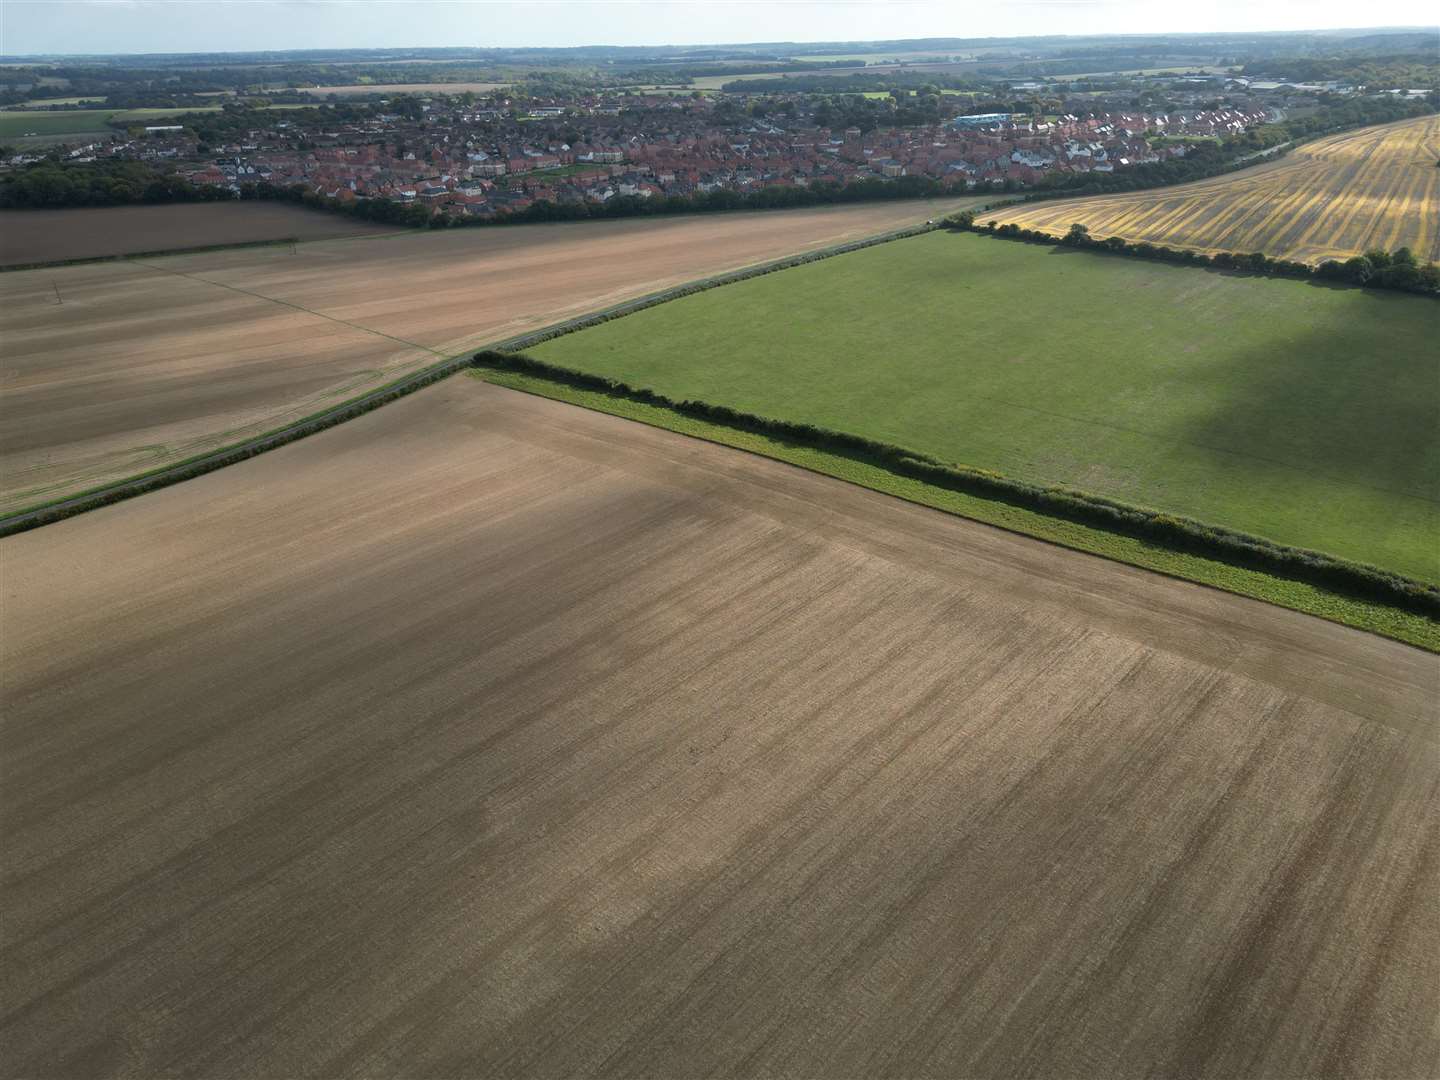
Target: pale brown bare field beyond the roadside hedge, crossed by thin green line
x,y
152,362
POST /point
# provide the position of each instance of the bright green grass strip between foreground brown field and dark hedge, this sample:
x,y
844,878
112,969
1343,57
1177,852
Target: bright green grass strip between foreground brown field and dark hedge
x,y
1379,618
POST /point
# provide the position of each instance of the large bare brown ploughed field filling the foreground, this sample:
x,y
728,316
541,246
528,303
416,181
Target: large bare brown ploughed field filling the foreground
x,y
485,737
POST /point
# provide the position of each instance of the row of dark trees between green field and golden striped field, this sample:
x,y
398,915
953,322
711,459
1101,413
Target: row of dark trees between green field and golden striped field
x,y
1399,270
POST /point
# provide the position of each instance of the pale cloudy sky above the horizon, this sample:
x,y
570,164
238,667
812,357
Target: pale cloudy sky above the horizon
x,y
139,27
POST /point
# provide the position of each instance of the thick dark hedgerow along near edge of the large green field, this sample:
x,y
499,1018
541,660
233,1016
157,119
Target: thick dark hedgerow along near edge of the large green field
x,y
1174,532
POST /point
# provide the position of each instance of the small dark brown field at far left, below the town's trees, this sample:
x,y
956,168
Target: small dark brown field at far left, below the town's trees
x,y
53,235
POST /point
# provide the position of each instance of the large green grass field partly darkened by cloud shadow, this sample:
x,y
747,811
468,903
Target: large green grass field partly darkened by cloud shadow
x,y
1297,413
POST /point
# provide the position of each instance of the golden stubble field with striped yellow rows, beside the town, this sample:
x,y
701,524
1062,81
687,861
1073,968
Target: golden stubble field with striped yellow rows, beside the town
x,y
1330,199
